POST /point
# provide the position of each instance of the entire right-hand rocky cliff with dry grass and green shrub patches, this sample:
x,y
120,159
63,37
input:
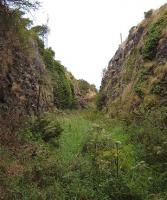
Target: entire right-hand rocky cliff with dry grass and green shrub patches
x,y
136,77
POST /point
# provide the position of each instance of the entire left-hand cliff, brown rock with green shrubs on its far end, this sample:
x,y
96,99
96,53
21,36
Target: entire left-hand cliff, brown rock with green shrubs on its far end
x,y
31,80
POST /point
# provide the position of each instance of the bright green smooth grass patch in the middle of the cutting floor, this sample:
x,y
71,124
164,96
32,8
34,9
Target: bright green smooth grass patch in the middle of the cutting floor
x,y
76,129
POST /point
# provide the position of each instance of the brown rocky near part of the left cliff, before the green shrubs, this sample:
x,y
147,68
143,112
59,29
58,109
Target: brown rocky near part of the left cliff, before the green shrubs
x,y
21,68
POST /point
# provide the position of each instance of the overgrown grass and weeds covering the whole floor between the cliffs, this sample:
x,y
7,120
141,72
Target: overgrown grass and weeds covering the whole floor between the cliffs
x,y
95,158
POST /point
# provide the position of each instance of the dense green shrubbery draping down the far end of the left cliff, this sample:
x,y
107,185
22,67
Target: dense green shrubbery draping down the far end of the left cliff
x,y
63,88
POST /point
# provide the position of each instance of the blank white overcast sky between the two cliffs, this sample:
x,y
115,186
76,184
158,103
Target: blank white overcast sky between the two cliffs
x,y
86,33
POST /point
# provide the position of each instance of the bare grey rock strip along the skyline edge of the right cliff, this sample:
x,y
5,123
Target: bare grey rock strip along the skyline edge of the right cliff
x,y
116,64
